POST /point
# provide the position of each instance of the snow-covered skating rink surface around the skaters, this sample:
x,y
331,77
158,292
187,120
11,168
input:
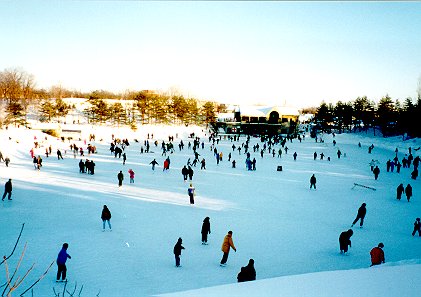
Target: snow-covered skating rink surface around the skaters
x,y
276,219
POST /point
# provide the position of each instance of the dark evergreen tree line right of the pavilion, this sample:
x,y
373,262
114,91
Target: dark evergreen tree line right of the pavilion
x,y
390,116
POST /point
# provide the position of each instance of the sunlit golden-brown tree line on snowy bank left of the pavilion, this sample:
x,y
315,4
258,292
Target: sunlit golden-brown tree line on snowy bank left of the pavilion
x,y
19,94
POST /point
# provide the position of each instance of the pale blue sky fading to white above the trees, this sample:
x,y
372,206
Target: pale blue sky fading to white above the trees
x,y
298,53
